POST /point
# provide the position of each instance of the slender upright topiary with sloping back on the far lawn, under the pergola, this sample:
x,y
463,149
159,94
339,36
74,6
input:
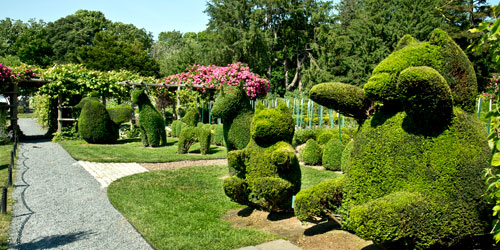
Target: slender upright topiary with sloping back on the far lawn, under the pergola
x,y
152,125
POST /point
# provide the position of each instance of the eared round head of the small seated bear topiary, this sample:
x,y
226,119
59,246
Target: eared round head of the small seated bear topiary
x,y
272,125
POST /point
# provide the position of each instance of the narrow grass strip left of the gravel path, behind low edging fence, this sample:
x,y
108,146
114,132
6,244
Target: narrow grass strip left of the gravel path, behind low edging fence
x,y
5,219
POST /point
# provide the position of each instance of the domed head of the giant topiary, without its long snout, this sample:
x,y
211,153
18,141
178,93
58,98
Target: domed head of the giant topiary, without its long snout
x,y
389,80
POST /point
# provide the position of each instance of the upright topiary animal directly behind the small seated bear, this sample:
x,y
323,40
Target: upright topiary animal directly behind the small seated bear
x,y
233,106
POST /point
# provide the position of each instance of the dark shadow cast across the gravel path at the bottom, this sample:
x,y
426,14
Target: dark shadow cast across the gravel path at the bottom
x,y
54,241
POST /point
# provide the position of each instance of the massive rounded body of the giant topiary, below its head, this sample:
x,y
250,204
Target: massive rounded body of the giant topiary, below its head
x,y
446,169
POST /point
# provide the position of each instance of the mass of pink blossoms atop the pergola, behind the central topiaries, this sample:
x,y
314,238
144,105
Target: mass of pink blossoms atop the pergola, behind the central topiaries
x,y
215,77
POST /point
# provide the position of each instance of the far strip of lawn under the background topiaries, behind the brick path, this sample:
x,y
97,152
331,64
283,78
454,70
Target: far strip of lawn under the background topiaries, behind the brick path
x,y
133,151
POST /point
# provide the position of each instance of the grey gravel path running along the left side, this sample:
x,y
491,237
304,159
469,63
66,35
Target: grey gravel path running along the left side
x,y
59,205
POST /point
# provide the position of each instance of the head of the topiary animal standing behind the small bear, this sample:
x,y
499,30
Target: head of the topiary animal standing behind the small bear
x,y
230,101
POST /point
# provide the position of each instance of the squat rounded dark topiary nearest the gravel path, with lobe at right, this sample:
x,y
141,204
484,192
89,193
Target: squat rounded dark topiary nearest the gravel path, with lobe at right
x,y
99,125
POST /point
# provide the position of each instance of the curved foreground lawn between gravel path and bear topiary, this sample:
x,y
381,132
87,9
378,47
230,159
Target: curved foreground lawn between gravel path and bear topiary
x,y
181,209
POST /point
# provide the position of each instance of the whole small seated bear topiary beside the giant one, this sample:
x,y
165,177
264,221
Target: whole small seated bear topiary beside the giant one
x,y
267,169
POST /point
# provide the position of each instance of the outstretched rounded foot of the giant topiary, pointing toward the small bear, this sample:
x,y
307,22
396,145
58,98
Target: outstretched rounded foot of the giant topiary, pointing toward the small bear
x,y
315,201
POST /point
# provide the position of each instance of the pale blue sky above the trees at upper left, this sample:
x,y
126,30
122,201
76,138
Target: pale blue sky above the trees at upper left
x,y
153,15
